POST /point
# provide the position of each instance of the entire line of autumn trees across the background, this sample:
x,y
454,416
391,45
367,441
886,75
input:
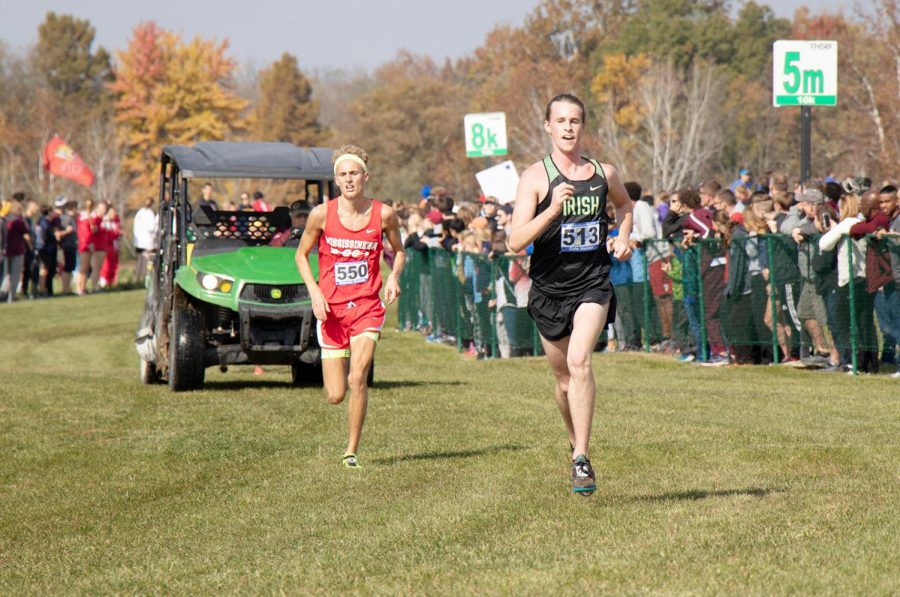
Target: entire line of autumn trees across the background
x,y
677,91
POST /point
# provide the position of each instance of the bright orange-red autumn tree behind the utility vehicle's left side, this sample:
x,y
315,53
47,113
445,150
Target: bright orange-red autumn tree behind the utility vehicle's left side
x,y
171,92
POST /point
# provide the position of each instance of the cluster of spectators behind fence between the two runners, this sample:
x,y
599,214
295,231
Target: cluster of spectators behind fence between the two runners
x,y
489,297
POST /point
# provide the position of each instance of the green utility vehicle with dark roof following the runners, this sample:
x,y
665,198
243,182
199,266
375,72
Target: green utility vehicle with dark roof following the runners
x,y
218,293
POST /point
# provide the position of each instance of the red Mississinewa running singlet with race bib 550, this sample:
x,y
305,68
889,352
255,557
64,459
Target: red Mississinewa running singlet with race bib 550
x,y
349,260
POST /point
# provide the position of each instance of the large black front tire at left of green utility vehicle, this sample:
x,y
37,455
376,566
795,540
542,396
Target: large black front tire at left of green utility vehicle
x,y
186,347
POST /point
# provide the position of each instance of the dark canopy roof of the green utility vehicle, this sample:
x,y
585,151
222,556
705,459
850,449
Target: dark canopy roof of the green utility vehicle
x,y
230,159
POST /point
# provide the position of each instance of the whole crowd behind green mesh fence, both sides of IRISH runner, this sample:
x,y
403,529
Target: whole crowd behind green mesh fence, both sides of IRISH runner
x,y
754,273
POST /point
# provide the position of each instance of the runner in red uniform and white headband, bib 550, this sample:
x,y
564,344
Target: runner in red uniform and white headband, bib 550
x,y
348,231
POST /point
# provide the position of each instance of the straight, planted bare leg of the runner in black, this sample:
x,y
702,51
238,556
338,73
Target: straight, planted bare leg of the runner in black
x,y
586,327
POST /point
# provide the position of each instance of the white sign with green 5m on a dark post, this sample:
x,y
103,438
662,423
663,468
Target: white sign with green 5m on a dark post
x,y
804,73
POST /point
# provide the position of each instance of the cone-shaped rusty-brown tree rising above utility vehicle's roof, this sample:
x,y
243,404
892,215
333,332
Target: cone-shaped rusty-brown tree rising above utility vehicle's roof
x,y
285,110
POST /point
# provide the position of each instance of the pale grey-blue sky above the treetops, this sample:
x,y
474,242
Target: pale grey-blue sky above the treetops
x,y
348,34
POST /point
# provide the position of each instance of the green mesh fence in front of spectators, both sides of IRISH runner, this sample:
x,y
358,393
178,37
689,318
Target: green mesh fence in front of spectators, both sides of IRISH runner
x,y
756,299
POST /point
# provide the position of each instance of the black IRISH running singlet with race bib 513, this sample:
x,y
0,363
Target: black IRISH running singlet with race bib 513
x,y
570,255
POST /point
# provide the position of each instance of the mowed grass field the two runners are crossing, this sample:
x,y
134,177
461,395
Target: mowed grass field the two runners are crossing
x,y
759,480
